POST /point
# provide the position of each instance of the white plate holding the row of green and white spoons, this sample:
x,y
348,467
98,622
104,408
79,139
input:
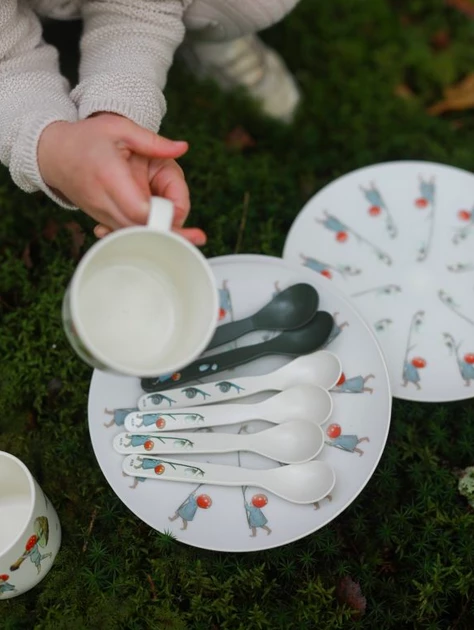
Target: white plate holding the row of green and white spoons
x,y
221,518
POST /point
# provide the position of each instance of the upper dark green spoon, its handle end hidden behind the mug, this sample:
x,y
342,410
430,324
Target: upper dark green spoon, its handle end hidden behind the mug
x,y
291,308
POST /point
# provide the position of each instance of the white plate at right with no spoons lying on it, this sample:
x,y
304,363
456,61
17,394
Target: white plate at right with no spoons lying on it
x,y
398,239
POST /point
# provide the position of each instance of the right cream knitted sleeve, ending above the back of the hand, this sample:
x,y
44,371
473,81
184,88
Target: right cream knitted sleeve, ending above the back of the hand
x,y
126,51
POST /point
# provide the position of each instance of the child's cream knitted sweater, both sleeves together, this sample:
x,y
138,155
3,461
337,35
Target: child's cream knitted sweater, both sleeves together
x,y
126,50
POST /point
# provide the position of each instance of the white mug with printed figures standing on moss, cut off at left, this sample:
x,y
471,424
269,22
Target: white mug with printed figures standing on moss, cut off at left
x,y
30,533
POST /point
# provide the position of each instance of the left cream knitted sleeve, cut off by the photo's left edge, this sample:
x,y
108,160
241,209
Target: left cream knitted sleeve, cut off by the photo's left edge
x,y
33,94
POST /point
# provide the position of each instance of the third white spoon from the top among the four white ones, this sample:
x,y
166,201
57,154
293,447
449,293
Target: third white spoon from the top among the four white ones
x,y
290,443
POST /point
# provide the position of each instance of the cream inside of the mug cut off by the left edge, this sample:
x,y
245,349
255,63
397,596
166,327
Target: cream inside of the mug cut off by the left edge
x,y
16,500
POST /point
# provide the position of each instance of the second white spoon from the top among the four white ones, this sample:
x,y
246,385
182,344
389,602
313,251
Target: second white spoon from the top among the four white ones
x,y
301,402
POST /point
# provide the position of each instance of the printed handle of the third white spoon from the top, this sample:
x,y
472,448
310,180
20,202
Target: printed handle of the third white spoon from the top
x,y
189,443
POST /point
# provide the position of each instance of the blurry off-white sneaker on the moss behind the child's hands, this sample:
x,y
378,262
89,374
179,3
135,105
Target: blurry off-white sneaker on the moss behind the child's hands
x,y
246,62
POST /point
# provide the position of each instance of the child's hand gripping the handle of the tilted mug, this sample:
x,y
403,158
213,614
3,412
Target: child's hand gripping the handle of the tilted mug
x,y
109,166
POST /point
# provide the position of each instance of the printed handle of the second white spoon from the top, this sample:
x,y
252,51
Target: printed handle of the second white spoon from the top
x,y
189,418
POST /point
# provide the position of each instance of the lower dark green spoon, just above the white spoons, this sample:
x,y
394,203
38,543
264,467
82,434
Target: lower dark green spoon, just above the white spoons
x,y
291,343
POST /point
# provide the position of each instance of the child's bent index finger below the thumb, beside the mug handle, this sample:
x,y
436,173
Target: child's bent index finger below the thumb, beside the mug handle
x,y
167,180
